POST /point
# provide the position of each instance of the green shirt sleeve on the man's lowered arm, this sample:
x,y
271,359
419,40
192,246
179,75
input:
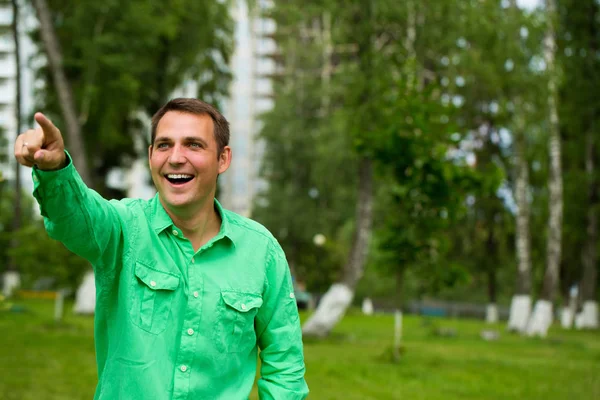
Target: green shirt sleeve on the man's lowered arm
x,y
280,336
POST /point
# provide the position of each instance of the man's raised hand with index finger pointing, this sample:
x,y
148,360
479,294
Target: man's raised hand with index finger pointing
x,y
43,146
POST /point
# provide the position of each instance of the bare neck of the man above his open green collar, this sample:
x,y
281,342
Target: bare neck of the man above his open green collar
x,y
198,225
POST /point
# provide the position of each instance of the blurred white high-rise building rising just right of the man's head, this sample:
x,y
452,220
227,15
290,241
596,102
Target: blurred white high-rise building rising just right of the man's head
x,y
249,94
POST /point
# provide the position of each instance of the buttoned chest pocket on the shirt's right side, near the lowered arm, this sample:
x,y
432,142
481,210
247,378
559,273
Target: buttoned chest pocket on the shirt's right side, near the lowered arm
x,y
234,330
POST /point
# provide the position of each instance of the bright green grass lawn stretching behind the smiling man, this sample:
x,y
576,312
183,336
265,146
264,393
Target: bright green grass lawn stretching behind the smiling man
x,y
42,361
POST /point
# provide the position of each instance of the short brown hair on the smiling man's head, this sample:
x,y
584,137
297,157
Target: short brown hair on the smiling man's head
x,y
197,107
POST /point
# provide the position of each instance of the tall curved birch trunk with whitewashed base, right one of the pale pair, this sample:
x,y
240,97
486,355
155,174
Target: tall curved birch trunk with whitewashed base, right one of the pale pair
x,y
542,316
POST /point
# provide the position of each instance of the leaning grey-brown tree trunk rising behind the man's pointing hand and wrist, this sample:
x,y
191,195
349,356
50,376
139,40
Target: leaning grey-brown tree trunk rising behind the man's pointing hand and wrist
x,y
63,88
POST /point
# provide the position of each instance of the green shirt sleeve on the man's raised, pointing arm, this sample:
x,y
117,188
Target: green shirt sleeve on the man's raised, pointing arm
x,y
80,218
